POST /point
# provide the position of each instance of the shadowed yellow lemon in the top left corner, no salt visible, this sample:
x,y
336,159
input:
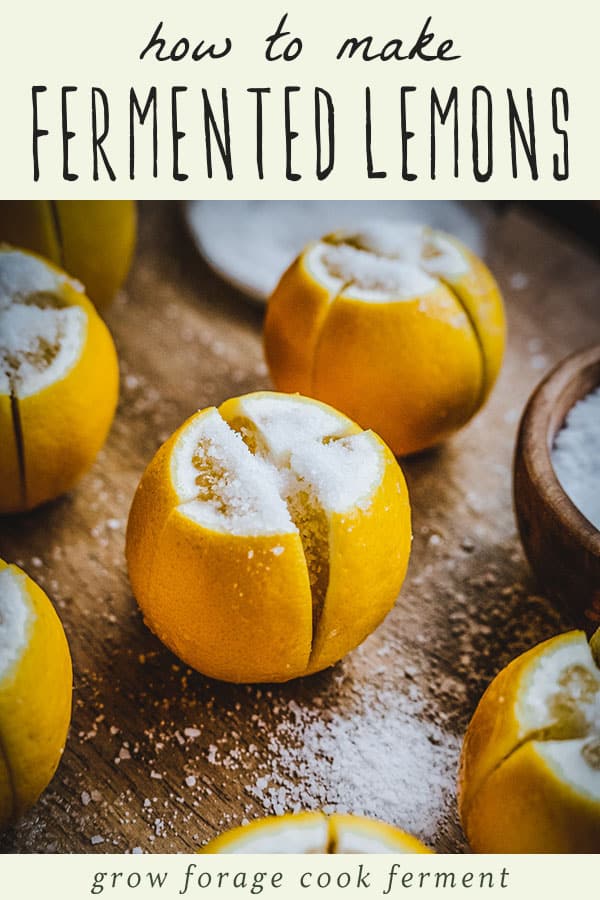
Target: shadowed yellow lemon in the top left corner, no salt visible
x,y
91,239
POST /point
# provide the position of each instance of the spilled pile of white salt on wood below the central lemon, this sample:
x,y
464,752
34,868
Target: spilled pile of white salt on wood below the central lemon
x,y
379,755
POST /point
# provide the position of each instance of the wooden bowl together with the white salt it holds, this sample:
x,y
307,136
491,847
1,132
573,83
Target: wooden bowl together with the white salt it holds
x,y
557,485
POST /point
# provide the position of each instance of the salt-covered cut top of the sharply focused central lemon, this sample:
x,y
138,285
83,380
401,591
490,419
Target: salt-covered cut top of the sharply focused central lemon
x,y
251,467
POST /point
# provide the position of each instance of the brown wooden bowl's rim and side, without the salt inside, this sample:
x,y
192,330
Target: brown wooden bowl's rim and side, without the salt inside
x,y
561,544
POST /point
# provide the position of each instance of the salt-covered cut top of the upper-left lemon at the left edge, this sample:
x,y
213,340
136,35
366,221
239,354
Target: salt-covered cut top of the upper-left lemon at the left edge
x,y
40,338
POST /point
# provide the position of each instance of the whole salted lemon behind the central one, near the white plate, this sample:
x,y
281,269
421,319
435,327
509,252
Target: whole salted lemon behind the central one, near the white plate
x,y
400,327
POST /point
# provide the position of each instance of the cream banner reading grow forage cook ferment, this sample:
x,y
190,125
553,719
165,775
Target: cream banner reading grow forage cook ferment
x,y
163,877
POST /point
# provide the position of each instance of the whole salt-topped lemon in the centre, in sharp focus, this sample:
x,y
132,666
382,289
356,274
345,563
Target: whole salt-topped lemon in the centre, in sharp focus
x,y
268,538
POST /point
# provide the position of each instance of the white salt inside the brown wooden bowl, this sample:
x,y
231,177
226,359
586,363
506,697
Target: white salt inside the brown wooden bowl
x,y
576,456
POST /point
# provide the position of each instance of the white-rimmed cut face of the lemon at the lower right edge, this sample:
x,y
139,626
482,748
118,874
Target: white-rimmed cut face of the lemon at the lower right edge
x,y
559,710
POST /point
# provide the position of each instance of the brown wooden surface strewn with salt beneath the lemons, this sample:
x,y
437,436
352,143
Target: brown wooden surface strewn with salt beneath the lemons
x,y
160,758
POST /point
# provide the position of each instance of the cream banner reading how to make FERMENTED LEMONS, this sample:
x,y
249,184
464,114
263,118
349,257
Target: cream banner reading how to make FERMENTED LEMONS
x,y
314,99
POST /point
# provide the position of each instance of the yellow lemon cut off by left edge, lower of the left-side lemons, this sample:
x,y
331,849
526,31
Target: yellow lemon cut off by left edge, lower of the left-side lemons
x,y
35,692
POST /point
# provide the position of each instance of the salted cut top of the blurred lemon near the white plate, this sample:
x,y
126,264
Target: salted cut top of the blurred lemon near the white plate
x,y
385,262
